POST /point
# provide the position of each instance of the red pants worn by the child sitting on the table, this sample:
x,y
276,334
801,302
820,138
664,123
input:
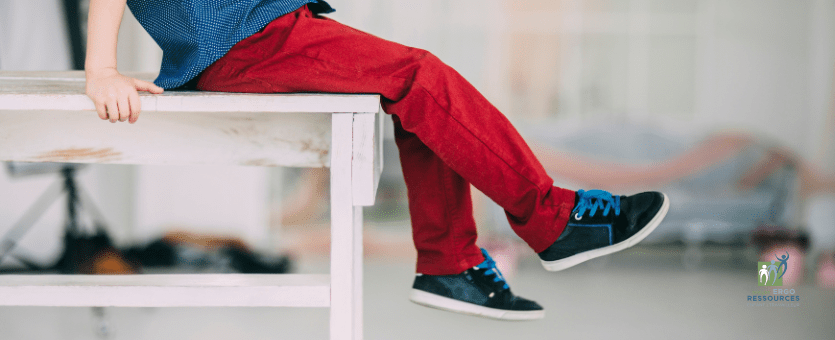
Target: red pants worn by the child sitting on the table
x,y
448,134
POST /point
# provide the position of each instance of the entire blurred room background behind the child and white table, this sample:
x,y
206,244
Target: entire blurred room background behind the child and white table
x,y
727,106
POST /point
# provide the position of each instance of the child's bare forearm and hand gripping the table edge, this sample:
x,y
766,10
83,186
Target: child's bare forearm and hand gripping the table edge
x,y
113,94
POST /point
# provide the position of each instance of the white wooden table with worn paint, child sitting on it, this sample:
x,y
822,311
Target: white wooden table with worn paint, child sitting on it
x,y
45,117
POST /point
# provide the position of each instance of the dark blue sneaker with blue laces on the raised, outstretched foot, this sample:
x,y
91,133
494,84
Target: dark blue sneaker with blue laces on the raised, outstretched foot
x,y
603,224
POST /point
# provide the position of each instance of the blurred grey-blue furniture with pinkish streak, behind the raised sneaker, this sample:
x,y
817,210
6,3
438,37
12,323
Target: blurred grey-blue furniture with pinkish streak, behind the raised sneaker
x,y
712,201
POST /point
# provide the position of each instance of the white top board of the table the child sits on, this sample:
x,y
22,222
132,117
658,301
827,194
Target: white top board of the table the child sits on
x,y
65,90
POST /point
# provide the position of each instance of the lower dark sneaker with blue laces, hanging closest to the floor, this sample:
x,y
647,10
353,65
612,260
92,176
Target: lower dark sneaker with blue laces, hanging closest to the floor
x,y
480,291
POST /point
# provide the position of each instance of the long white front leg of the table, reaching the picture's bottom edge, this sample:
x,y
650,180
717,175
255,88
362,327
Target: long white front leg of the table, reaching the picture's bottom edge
x,y
346,236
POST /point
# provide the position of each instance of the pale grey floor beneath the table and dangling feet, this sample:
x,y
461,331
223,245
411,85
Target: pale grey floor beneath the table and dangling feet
x,y
639,293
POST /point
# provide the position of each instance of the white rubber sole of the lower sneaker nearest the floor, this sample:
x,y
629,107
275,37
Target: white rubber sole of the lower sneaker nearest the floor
x,y
440,302
